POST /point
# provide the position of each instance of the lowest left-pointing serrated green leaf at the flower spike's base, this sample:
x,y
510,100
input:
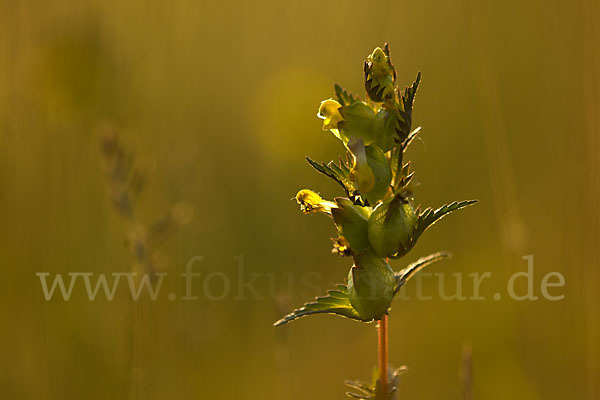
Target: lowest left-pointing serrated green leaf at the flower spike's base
x,y
336,302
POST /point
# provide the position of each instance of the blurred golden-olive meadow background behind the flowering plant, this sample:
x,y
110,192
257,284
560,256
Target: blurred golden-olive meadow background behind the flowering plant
x,y
217,102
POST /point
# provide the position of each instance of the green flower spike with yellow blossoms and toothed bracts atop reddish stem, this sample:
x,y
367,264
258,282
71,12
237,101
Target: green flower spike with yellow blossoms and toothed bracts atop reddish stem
x,y
376,220
